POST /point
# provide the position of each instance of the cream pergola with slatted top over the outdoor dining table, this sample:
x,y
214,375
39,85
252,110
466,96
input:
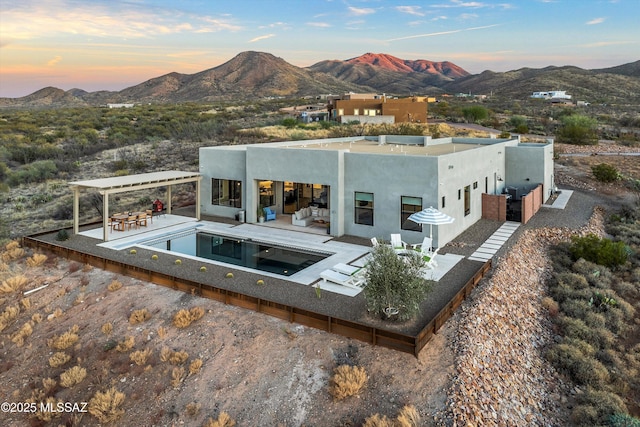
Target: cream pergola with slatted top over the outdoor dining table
x,y
121,184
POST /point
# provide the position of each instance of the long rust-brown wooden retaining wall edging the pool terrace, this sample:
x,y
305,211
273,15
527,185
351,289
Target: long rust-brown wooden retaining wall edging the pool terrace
x,y
372,335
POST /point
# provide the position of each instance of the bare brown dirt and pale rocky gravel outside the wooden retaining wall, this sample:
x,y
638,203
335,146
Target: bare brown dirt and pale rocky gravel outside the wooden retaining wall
x,y
484,367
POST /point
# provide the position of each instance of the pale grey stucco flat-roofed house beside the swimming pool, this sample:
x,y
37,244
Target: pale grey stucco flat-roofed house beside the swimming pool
x,y
370,185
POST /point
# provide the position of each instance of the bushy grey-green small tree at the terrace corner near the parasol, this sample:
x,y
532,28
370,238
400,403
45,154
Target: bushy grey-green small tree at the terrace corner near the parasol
x,y
395,285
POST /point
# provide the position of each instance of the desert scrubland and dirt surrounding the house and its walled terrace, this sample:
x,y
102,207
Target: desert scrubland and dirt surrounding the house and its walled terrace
x,y
550,337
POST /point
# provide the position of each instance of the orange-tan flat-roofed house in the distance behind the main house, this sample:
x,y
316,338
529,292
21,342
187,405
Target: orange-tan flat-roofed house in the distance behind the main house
x,y
370,108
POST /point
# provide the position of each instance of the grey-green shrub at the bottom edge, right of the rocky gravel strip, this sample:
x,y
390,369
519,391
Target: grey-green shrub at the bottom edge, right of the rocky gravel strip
x,y
596,408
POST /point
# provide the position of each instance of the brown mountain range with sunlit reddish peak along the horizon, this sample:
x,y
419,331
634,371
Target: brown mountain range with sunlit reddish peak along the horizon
x,y
258,74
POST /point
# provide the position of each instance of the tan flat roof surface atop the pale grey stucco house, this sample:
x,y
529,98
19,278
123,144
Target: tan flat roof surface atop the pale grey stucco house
x,y
373,147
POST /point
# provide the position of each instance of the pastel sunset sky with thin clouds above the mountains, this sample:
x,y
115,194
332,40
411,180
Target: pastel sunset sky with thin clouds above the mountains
x,y
114,44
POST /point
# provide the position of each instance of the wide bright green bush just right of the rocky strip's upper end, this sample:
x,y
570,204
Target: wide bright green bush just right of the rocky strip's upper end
x,y
600,251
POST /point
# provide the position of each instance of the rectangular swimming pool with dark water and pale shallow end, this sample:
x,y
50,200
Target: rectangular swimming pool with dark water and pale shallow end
x,y
249,253
